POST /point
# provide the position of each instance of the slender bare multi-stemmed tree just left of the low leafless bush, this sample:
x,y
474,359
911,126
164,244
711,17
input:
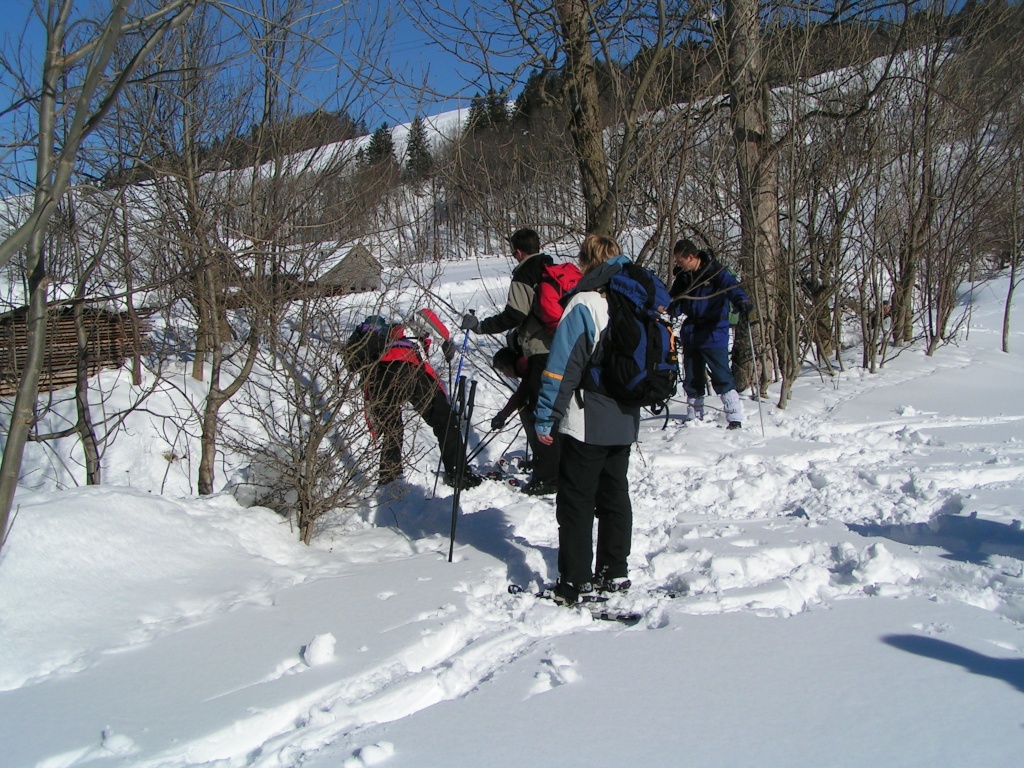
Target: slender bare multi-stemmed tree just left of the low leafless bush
x,y
237,215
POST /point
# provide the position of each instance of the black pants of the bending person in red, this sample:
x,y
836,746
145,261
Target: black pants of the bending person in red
x,y
392,386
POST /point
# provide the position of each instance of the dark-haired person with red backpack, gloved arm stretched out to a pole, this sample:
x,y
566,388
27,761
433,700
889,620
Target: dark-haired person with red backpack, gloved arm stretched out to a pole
x,y
535,340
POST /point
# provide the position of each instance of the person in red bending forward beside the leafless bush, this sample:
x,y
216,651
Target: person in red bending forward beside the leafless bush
x,y
396,372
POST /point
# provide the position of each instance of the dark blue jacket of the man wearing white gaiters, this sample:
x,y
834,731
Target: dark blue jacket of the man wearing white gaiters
x,y
704,296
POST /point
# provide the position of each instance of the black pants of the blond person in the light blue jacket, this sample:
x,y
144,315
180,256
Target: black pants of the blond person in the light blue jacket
x,y
592,485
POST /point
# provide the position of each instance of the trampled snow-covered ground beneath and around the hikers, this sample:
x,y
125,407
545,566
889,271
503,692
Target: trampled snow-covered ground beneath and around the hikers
x,y
845,590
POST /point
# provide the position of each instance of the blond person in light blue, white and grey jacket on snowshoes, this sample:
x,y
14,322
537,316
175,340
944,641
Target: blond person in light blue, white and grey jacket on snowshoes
x,y
598,436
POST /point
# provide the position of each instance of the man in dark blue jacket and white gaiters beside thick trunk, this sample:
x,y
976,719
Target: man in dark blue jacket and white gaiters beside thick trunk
x,y
703,291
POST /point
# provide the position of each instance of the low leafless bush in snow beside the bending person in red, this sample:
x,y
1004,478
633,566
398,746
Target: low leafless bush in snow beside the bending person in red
x,y
315,454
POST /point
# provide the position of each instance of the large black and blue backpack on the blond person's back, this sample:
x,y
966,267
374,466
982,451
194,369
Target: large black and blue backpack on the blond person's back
x,y
637,364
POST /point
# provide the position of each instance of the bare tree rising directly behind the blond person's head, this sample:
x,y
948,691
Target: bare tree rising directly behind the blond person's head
x,y
580,51
